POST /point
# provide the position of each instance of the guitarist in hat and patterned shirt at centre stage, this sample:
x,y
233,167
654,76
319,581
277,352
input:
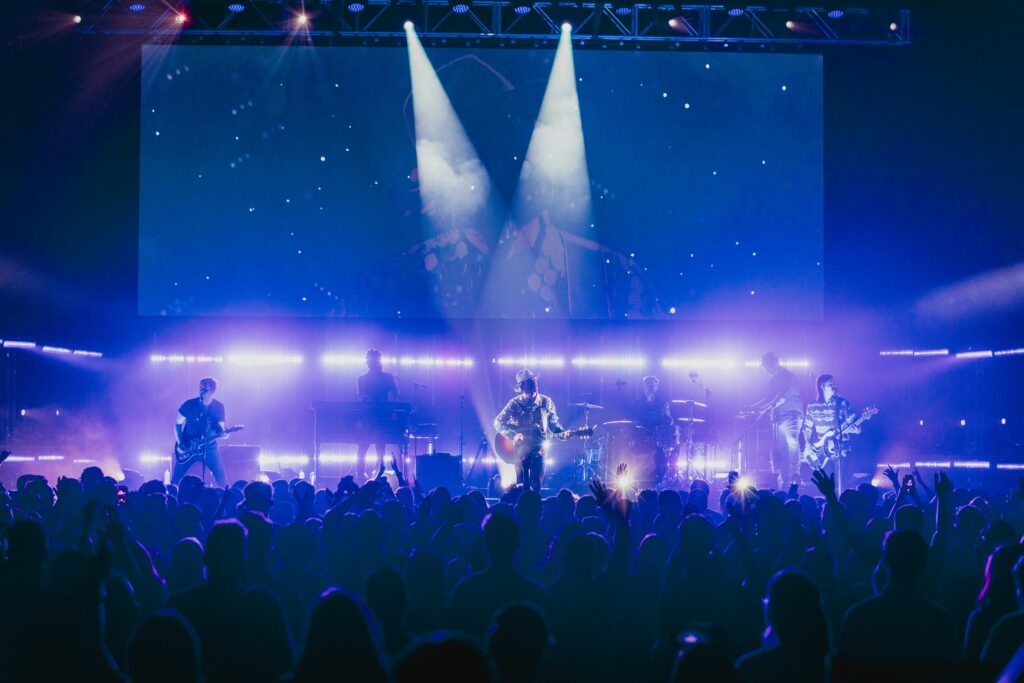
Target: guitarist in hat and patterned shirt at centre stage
x,y
529,420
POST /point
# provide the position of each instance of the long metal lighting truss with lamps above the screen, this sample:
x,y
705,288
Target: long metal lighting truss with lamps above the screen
x,y
610,24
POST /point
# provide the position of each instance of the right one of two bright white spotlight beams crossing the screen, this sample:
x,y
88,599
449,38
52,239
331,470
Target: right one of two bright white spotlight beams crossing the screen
x,y
557,159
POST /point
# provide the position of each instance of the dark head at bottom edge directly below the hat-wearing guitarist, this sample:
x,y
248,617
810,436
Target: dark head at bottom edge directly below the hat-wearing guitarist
x,y
519,642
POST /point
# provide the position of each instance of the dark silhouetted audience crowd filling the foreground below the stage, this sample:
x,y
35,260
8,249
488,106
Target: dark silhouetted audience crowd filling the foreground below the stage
x,y
375,583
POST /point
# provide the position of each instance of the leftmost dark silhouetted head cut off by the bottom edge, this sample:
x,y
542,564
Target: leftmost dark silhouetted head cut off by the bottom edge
x,y
163,650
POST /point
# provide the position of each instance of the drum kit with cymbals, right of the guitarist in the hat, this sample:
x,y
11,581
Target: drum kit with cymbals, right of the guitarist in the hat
x,y
685,446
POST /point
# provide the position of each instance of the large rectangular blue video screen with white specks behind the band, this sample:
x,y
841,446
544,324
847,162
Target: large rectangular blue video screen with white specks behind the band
x,y
285,182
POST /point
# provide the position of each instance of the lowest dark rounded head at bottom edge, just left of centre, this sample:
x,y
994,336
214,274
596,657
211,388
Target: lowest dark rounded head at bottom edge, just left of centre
x,y
444,657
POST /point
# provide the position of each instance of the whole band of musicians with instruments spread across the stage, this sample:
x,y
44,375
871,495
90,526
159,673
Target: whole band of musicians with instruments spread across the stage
x,y
667,440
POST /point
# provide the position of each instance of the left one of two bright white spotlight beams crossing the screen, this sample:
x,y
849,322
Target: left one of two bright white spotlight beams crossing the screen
x,y
453,181
